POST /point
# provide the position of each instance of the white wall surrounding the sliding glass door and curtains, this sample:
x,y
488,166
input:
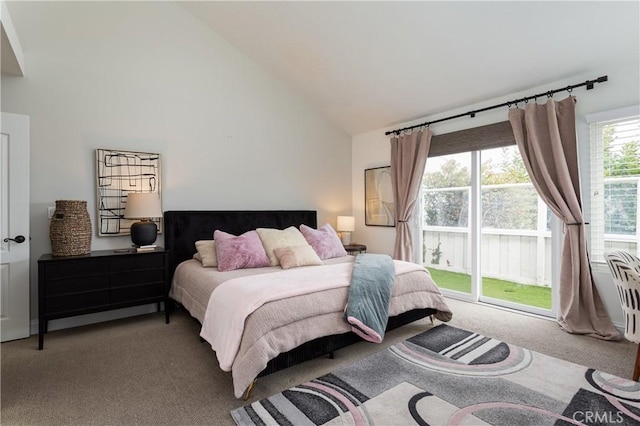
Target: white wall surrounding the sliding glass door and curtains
x,y
623,89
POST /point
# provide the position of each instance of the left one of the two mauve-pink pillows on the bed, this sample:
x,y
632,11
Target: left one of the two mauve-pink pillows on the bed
x,y
239,252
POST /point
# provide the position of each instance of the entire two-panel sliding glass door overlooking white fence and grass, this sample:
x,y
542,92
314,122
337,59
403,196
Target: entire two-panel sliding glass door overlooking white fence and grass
x,y
487,235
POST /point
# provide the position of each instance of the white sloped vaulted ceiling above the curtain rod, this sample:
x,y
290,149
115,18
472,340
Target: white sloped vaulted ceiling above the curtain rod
x,y
369,65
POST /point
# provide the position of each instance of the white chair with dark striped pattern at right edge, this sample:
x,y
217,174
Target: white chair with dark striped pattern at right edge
x,y
625,269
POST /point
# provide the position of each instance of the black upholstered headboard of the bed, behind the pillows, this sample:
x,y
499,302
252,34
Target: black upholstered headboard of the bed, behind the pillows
x,y
182,228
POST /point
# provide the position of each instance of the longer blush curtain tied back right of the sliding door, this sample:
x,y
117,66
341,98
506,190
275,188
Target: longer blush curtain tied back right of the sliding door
x,y
546,137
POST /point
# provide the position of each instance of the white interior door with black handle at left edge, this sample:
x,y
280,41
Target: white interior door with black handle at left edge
x,y
14,227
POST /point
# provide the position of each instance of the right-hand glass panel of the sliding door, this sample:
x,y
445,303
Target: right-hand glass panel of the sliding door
x,y
515,248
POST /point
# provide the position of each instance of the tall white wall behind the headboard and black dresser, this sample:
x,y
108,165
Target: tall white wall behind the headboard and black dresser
x,y
147,76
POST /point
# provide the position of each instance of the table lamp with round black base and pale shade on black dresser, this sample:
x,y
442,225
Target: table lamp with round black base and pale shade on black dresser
x,y
144,206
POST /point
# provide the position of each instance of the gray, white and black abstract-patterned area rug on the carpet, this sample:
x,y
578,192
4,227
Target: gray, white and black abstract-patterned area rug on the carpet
x,y
449,376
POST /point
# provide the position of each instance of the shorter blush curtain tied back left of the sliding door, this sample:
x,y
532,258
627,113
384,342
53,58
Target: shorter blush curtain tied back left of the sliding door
x,y
408,160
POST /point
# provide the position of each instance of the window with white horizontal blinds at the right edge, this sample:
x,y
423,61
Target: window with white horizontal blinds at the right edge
x,y
615,177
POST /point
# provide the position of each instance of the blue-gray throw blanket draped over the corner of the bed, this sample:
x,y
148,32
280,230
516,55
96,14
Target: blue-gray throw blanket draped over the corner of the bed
x,y
369,294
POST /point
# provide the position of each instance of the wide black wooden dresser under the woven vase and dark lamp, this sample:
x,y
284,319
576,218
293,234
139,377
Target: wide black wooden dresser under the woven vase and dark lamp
x,y
100,281
